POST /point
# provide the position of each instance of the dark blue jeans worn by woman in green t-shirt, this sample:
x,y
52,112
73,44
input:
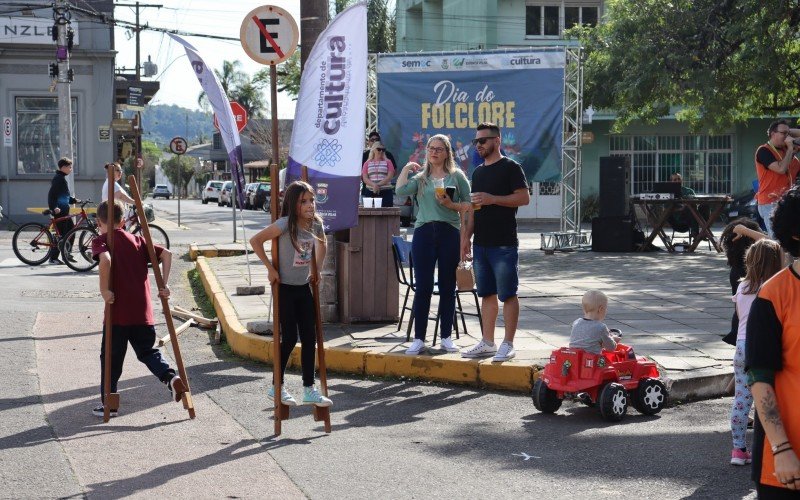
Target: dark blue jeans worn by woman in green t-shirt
x,y
435,241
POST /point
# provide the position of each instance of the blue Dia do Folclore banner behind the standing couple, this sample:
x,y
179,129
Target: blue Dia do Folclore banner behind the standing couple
x,y
522,92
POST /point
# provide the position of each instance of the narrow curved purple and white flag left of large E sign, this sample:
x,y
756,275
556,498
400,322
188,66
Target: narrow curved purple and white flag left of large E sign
x,y
222,108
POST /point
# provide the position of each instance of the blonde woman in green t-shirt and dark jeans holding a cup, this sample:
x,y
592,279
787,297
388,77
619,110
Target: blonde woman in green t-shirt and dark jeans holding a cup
x,y
437,235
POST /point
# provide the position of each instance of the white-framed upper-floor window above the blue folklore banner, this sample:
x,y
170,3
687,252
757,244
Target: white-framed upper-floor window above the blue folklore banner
x,y
551,18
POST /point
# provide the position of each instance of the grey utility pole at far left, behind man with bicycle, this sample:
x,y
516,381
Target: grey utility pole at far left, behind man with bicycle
x,y
63,37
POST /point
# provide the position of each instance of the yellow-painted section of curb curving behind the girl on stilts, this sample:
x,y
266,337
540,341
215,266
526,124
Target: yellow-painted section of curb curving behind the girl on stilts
x,y
449,368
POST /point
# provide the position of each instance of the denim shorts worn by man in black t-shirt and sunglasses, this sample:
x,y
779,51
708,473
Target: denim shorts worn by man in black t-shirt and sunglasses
x,y
496,271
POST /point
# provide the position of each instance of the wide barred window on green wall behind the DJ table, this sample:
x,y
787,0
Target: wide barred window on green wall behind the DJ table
x,y
704,161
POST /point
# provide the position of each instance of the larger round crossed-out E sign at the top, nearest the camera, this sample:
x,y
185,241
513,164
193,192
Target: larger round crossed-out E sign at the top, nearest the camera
x,y
269,34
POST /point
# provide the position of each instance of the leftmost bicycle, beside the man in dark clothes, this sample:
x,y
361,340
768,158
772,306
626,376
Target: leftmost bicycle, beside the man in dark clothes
x,y
34,242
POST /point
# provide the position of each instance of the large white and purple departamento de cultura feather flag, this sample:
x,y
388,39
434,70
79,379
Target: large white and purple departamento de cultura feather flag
x,y
328,133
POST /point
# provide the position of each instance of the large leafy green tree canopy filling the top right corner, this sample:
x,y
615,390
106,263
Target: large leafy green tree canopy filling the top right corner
x,y
718,61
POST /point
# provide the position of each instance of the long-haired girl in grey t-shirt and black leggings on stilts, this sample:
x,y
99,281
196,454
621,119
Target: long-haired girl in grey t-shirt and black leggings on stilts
x,y
299,233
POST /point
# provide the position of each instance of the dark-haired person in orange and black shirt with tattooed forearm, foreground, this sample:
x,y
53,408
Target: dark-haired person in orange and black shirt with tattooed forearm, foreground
x,y
772,364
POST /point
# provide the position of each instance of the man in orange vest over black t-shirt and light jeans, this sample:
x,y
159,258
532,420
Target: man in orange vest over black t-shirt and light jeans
x,y
776,167
